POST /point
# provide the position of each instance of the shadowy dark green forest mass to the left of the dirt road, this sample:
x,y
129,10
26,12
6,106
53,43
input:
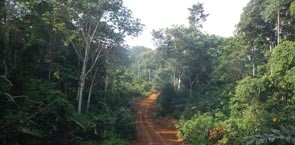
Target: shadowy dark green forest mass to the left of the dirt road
x,y
41,57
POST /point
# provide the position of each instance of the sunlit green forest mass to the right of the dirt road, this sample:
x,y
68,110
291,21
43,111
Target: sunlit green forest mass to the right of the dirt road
x,y
245,79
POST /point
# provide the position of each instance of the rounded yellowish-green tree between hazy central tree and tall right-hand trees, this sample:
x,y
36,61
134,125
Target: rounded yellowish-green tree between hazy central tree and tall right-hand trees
x,y
232,61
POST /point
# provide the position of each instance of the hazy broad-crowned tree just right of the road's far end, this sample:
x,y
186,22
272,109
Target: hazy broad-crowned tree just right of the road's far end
x,y
187,51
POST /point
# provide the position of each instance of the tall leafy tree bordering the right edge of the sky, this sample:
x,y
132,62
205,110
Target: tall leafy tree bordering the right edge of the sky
x,y
258,34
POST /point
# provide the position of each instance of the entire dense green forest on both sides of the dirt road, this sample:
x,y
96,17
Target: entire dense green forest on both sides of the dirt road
x,y
68,78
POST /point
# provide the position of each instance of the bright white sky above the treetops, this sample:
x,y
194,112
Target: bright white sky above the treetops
x,y
157,14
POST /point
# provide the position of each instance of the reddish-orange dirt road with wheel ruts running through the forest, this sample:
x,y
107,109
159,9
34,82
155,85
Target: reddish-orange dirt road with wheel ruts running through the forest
x,y
150,131
